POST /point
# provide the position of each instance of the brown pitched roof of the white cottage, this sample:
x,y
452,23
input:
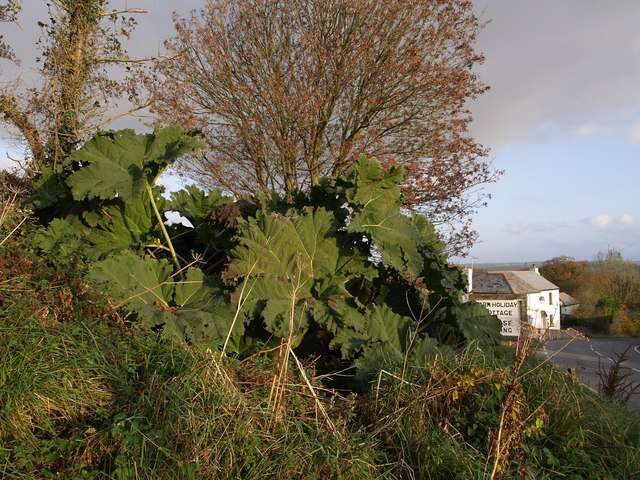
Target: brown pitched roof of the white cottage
x,y
510,281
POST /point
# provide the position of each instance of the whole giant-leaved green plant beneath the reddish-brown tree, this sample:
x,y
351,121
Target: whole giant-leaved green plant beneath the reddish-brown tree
x,y
344,264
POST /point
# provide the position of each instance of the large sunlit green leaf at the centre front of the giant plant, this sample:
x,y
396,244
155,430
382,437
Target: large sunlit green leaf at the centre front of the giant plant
x,y
291,263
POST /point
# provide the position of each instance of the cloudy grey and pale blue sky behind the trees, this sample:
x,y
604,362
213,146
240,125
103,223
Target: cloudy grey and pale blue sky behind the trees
x,y
562,119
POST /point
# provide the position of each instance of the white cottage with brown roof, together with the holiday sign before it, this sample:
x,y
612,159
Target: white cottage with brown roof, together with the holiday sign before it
x,y
516,296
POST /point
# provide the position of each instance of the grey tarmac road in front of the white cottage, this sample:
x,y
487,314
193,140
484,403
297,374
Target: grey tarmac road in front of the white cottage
x,y
586,356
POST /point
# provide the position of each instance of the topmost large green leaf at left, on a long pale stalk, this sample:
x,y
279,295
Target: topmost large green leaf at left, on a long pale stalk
x,y
119,164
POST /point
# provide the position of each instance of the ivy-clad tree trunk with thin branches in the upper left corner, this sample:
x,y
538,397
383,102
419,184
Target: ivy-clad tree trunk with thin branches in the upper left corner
x,y
81,41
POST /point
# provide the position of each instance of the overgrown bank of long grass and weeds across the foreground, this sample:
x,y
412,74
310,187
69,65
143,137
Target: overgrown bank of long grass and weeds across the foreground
x,y
83,395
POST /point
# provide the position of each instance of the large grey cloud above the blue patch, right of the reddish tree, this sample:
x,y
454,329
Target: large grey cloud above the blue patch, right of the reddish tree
x,y
570,71
